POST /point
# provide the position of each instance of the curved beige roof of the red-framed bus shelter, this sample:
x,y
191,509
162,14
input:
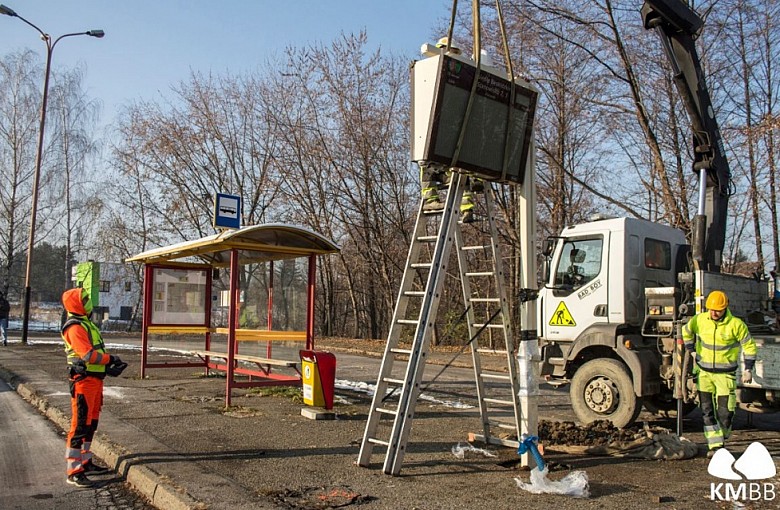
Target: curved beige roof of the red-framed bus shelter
x,y
256,243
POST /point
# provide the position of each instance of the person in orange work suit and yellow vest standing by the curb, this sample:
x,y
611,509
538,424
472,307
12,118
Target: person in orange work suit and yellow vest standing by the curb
x,y
88,365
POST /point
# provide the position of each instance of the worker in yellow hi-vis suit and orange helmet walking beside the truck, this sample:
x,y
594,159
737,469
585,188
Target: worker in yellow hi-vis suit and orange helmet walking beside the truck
x,y
716,337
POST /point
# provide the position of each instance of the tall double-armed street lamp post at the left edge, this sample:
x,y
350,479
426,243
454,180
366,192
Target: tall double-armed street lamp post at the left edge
x,y
31,240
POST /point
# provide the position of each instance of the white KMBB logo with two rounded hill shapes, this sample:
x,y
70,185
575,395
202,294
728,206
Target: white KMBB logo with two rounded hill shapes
x,y
755,464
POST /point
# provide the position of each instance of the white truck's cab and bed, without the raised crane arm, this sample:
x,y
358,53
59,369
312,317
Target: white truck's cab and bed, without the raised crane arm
x,y
616,292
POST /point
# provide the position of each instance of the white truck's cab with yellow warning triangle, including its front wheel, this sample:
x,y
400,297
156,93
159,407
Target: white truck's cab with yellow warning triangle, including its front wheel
x,y
591,310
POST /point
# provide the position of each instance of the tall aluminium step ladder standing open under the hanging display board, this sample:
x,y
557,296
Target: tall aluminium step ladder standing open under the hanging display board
x,y
396,395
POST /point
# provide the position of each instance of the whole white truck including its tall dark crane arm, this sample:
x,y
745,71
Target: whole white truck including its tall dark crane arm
x,y
617,291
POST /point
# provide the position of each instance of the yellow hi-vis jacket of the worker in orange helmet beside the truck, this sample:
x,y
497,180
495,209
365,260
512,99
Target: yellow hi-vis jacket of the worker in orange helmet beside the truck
x,y
717,343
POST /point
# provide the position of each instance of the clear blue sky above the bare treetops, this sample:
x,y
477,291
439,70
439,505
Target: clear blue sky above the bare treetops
x,y
152,45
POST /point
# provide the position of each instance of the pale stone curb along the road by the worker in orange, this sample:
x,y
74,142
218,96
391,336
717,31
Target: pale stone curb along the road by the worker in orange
x,y
143,479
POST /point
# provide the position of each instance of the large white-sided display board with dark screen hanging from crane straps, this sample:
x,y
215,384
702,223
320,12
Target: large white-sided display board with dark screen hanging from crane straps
x,y
441,86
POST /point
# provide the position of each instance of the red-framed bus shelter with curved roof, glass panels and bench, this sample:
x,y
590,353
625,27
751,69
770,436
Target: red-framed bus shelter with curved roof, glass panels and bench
x,y
233,329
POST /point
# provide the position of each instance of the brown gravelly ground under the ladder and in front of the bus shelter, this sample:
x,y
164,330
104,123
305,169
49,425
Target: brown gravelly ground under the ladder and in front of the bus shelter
x,y
264,446
